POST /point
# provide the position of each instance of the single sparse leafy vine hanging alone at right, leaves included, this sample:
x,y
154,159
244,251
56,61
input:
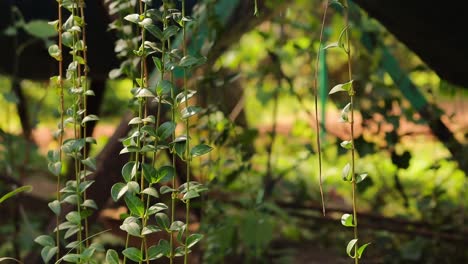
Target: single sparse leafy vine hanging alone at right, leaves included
x,y
347,115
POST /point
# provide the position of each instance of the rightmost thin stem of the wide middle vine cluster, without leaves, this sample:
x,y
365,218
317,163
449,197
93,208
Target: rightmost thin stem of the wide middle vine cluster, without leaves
x,y
187,146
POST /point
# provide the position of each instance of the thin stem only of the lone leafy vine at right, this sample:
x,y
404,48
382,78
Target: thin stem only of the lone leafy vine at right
x,y
351,121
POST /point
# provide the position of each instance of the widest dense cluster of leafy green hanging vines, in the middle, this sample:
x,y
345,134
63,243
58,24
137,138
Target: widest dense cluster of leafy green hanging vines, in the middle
x,y
150,136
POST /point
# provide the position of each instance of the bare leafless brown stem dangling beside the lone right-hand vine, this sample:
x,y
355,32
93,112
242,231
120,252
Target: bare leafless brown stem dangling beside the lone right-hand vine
x,y
317,122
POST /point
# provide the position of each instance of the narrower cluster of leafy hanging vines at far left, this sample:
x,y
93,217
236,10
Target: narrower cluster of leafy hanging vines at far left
x,y
72,34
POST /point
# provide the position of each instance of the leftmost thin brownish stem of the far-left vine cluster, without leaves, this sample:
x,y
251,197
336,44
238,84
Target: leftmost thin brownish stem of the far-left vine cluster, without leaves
x,y
62,111
